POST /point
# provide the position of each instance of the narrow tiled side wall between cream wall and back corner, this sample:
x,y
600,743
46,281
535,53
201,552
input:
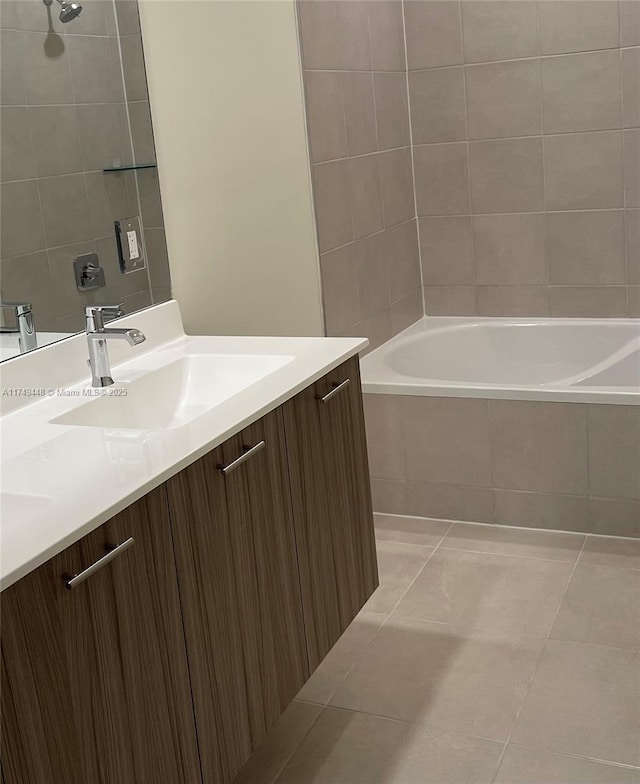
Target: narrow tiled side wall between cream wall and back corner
x,y
353,56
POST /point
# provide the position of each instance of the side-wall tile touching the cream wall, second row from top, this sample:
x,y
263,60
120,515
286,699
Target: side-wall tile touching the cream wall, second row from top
x,y
326,120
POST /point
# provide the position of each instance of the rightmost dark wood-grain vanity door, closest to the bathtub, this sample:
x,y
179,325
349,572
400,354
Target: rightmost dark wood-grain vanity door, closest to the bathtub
x,y
332,504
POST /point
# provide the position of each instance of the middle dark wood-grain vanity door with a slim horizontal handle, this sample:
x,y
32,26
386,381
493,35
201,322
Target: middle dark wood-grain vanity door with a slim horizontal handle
x,y
240,591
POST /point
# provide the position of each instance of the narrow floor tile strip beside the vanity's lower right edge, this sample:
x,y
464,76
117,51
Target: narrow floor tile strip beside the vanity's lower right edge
x,y
341,658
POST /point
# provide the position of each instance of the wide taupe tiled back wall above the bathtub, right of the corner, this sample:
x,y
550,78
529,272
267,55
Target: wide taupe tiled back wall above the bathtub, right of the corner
x,y
525,120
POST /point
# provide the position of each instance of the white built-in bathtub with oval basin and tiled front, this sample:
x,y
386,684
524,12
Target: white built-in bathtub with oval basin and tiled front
x,y
564,360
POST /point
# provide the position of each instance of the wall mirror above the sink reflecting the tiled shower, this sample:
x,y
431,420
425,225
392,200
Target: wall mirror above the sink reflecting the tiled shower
x,y
81,218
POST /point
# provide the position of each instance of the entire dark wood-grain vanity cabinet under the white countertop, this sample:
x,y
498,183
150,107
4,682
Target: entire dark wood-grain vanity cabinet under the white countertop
x,y
231,582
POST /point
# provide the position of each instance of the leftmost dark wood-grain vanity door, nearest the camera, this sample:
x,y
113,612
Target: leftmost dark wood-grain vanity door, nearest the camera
x,y
95,685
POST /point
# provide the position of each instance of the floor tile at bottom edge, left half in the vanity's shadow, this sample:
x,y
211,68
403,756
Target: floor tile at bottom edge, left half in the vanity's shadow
x,y
352,748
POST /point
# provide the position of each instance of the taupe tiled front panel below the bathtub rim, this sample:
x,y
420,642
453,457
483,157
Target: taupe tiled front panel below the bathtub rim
x,y
540,465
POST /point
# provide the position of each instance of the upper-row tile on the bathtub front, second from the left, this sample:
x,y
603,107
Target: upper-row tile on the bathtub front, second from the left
x,y
446,440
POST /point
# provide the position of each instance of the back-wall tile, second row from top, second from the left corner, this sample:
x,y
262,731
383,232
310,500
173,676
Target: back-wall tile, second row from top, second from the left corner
x,y
504,99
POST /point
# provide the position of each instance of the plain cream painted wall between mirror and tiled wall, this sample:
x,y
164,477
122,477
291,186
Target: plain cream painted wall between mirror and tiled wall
x,y
226,98
